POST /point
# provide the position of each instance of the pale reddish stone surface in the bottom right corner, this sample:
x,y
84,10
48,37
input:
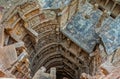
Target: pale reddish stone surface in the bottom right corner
x,y
108,71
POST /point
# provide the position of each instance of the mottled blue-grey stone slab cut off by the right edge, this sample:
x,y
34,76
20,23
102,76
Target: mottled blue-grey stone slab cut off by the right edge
x,y
110,35
